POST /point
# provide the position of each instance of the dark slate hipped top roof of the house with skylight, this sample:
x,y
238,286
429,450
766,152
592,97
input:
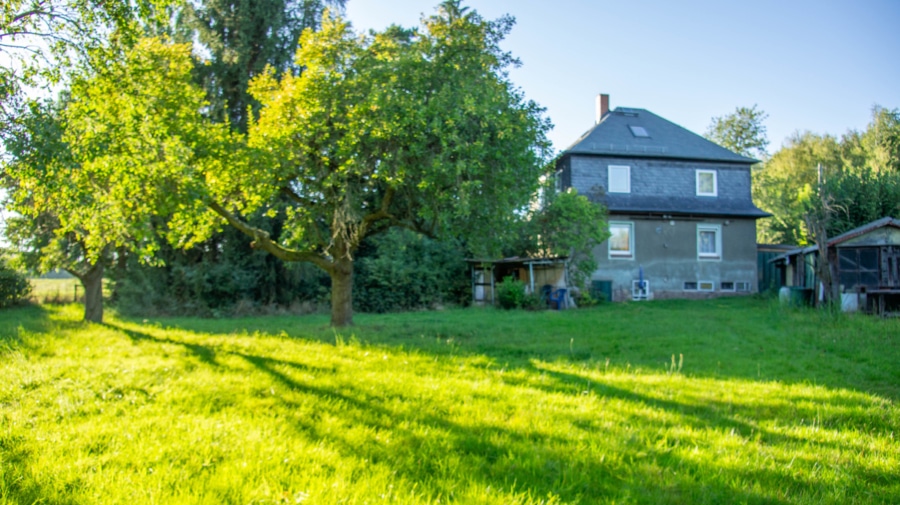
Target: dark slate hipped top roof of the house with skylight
x,y
613,136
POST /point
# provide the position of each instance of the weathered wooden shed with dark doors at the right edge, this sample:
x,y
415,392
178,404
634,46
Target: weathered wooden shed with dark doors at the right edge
x,y
865,265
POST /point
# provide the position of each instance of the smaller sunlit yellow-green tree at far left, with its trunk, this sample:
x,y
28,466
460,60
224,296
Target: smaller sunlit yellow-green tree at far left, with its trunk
x,y
79,171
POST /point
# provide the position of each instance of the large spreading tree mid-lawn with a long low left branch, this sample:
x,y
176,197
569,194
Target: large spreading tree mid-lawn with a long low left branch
x,y
419,129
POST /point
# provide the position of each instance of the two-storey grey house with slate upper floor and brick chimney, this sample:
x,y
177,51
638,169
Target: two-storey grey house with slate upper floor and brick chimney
x,y
681,215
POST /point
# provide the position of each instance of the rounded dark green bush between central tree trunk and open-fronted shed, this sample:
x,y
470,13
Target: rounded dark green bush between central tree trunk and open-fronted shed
x,y
402,270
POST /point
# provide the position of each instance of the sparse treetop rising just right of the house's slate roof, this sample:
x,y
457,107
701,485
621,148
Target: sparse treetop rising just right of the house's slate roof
x,y
743,131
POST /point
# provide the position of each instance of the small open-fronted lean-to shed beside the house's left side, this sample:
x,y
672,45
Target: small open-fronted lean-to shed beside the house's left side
x,y
536,273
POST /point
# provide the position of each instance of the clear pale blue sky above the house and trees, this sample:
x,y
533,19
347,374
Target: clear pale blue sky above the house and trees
x,y
811,65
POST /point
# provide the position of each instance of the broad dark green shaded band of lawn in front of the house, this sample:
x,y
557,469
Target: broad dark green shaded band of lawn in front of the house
x,y
768,345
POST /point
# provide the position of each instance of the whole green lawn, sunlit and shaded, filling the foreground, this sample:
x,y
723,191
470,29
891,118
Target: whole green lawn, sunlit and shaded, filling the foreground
x,y
759,405
